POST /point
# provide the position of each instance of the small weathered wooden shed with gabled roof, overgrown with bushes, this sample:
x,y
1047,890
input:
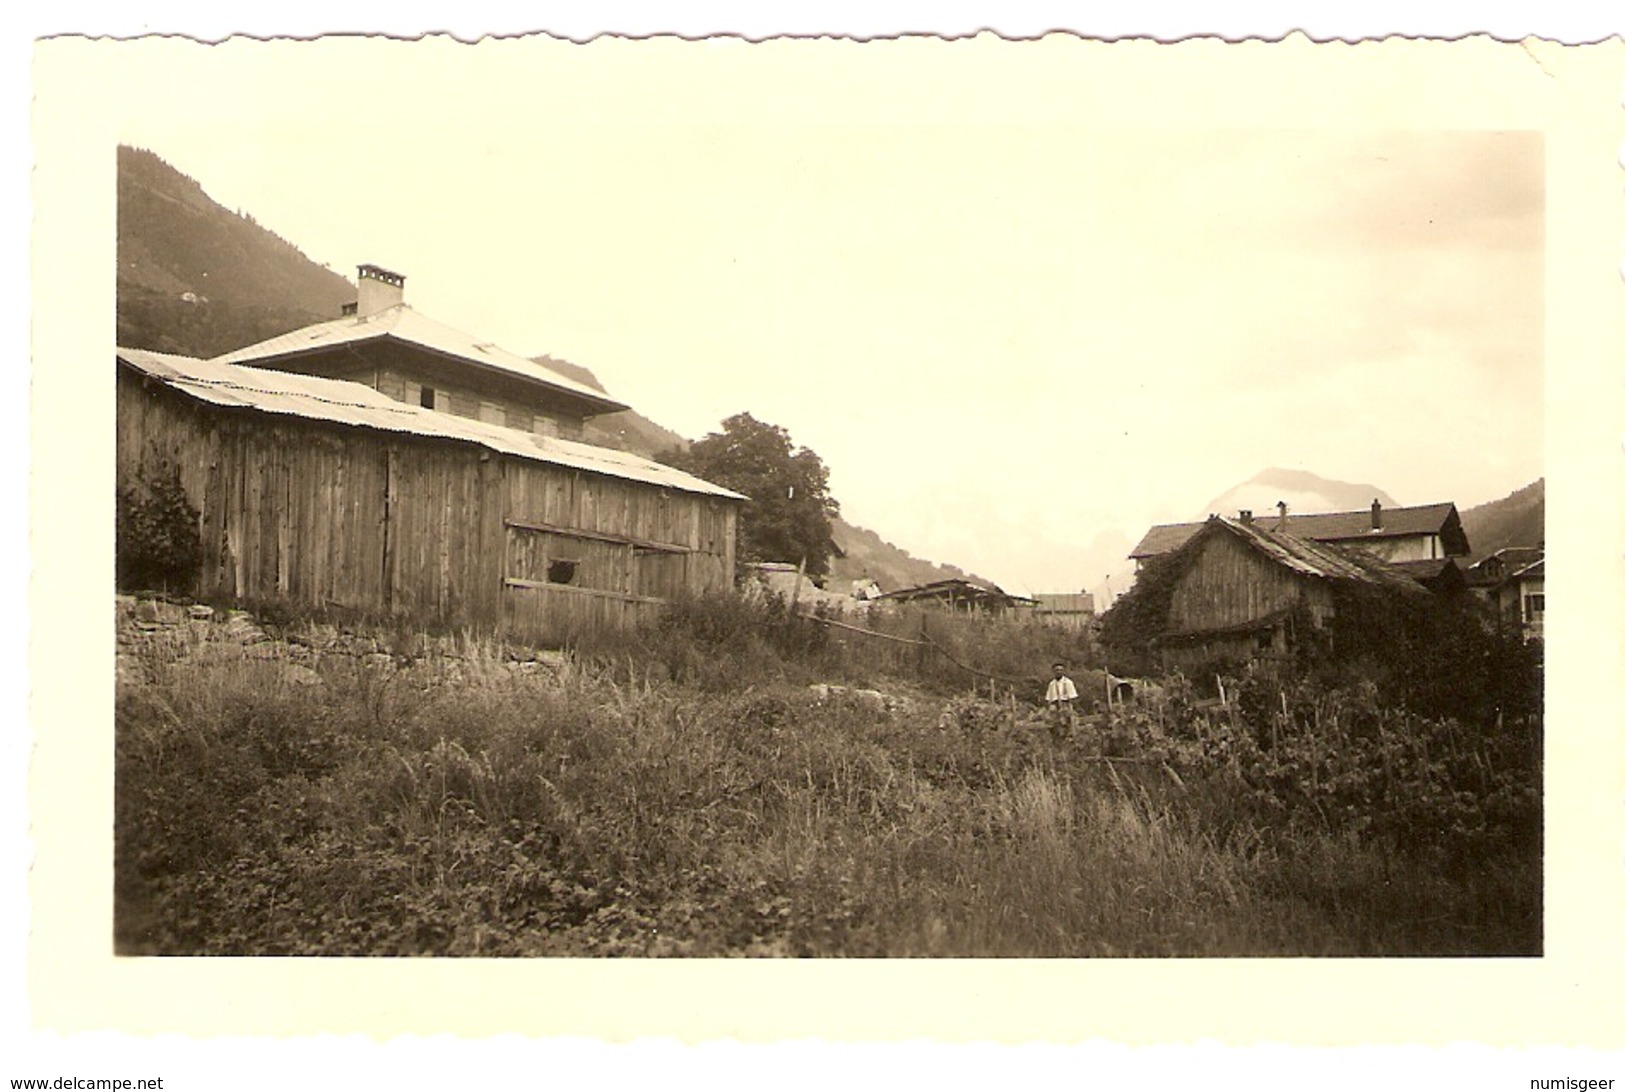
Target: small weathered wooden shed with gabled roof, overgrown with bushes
x,y
1246,592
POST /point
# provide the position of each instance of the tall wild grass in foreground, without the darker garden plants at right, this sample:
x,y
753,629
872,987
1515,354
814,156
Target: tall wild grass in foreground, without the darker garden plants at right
x,y
688,795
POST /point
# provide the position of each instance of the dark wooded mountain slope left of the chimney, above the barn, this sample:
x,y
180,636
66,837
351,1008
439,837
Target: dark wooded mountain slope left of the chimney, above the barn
x,y
201,280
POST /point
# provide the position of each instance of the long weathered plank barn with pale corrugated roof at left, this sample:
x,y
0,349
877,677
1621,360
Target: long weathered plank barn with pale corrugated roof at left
x,y
331,495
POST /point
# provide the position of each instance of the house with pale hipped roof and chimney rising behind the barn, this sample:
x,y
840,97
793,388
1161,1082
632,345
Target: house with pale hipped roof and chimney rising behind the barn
x,y
381,342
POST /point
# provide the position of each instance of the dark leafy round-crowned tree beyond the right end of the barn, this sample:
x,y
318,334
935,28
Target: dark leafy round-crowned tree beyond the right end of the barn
x,y
789,511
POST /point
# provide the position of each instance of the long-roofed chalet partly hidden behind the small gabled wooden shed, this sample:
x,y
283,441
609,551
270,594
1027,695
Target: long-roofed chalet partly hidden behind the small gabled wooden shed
x,y
1428,532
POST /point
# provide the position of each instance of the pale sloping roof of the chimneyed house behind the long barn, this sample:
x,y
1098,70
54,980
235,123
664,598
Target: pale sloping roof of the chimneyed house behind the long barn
x,y
404,324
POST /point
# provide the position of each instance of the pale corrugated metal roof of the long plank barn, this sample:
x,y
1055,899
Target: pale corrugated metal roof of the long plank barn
x,y
340,402
